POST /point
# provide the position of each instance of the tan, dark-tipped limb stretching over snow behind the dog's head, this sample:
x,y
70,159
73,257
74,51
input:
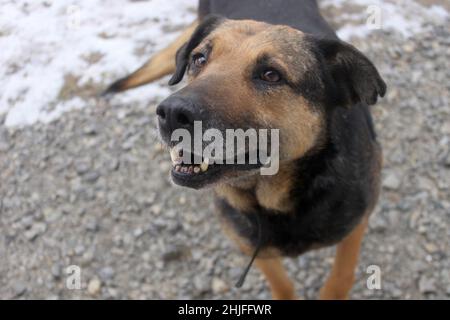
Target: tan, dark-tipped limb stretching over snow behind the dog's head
x,y
161,64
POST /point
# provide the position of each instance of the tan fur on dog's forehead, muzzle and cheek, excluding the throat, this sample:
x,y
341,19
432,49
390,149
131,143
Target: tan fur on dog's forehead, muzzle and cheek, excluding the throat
x,y
236,46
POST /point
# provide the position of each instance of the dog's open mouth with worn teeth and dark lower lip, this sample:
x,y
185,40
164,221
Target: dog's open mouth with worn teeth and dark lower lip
x,y
197,176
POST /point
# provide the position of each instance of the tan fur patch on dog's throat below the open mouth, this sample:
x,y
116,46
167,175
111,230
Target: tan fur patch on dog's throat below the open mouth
x,y
258,191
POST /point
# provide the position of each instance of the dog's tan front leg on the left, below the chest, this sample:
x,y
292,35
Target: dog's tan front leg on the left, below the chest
x,y
281,286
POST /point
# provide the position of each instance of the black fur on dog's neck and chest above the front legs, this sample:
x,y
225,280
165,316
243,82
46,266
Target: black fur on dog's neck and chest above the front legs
x,y
333,190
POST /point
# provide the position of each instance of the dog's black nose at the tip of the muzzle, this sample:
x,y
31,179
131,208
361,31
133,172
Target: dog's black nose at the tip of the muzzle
x,y
176,113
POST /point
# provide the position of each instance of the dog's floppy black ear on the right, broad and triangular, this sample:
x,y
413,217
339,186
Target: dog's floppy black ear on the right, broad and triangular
x,y
353,77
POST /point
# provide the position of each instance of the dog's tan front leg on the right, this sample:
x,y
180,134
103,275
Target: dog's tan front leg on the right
x,y
341,278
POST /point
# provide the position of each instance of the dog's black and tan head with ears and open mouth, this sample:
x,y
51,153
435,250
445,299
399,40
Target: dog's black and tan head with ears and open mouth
x,y
247,74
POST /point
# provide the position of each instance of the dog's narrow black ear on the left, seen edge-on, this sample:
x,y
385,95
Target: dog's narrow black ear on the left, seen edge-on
x,y
182,57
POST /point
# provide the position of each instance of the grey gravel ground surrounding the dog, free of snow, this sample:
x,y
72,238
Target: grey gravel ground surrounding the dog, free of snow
x,y
92,189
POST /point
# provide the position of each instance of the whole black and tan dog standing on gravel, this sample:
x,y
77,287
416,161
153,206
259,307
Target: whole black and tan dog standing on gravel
x,y
278,64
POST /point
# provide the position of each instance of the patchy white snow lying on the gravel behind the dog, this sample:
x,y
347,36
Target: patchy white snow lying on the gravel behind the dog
x,y
42,41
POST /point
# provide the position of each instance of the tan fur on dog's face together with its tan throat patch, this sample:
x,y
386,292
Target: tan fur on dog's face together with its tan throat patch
x,y
235,47
